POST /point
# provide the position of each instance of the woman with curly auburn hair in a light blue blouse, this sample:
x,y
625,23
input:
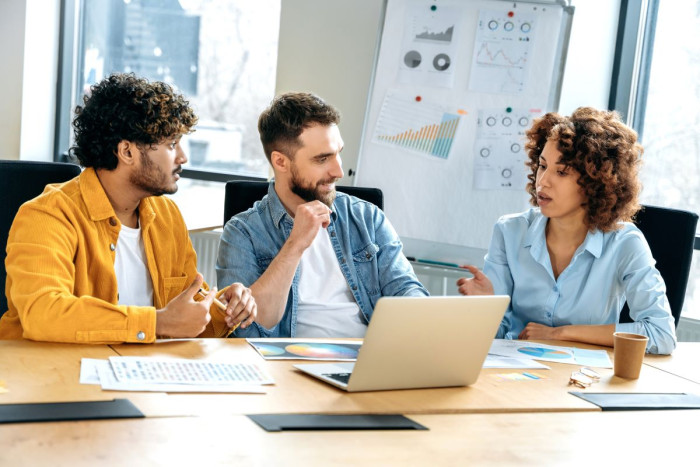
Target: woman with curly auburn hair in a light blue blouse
x,y
570,264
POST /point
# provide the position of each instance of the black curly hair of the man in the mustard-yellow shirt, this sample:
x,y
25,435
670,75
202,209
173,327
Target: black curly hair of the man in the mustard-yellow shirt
x,y
124,107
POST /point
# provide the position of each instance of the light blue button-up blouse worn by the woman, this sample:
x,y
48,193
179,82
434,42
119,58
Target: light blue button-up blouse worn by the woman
x,y
605,271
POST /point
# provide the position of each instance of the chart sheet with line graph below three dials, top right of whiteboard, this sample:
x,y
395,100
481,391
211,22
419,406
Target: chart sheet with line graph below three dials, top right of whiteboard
x,y
502,52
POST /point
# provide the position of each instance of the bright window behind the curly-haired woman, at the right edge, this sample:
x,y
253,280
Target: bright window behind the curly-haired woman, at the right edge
x,y
665,110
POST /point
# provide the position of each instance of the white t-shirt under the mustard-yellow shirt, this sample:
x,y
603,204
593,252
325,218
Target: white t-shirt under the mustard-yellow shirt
x,y
133,279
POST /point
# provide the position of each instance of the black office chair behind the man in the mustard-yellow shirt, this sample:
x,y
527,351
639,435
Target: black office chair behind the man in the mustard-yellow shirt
x,y
20,182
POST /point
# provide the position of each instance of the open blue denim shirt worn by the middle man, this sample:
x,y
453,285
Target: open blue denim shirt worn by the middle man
x,y
367,247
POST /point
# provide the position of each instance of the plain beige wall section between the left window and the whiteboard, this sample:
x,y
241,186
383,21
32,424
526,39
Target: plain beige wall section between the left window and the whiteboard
x,y
328,47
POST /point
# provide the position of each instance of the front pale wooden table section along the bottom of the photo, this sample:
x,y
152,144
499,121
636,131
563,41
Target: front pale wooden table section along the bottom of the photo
x,y
586,439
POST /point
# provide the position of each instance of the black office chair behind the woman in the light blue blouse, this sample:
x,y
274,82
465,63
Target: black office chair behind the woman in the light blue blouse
x,y
670,234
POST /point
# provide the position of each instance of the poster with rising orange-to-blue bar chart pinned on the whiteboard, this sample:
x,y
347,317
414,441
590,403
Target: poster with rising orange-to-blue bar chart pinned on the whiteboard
x,y
417,126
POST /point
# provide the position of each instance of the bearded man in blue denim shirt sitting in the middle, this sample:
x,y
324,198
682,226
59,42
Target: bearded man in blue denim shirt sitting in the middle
x,y
316,261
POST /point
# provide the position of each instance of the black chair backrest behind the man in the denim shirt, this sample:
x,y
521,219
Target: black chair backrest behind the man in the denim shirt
x,y
242,194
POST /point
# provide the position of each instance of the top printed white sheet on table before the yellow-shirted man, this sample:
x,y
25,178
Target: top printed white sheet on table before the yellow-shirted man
x,y
186,371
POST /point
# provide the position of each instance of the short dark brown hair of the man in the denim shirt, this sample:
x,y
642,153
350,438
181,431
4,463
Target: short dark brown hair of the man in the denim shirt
x,y
288,116
